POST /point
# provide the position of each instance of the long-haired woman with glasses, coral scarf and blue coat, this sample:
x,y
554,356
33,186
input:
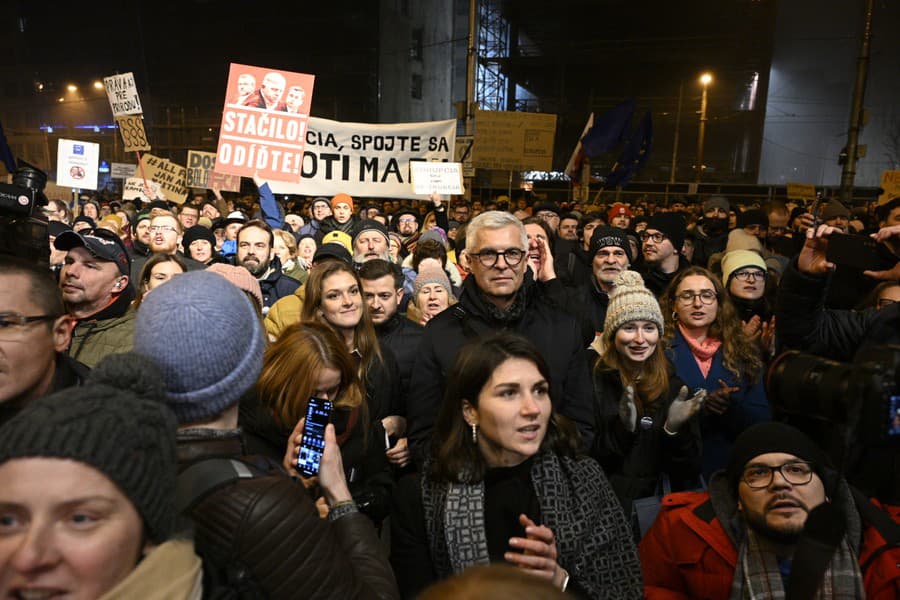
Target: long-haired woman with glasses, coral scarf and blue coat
x,y
707,345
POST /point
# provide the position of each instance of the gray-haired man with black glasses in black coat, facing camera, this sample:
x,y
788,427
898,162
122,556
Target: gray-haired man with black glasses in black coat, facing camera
x,y
500,294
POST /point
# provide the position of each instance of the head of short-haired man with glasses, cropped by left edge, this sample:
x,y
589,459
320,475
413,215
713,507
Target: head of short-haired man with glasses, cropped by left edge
x,y
34,334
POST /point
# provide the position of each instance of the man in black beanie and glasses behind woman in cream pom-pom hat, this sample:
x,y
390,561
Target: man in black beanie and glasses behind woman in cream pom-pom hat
x,y
661,244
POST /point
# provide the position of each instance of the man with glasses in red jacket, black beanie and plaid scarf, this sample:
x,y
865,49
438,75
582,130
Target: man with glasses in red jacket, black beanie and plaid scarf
x,y
778,521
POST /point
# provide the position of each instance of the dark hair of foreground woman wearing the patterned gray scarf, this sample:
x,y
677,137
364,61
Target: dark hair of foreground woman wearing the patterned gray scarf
x,y
455,458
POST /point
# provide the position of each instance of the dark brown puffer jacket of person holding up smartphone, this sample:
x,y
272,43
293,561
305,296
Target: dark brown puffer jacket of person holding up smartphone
x,y
262,537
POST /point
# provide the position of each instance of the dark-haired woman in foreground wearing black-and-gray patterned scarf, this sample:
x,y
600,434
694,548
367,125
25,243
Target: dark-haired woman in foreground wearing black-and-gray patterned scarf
x,y
504,485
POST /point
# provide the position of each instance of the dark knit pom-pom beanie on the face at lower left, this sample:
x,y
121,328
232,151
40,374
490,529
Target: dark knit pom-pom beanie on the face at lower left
x,y
116,423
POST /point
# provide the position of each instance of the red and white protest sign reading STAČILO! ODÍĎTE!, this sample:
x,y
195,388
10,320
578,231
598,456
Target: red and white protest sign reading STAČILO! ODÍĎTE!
x,y
264,123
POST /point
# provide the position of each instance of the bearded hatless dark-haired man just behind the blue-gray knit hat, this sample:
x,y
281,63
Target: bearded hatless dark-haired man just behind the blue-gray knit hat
x,y
256,253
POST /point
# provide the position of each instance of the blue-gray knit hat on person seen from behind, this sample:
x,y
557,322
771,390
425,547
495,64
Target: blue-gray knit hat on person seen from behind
x,y
207,340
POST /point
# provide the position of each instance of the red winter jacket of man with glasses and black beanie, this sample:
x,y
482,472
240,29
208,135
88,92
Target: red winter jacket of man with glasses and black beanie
x,y
686,554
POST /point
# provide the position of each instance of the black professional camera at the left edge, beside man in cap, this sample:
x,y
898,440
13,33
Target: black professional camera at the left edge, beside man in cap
x,y
23,227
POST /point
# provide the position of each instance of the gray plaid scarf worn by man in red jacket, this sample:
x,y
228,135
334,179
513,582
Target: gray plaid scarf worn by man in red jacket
x,y
757,576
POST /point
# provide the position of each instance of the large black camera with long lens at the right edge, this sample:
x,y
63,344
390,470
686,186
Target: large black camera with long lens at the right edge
x,y
851,409
